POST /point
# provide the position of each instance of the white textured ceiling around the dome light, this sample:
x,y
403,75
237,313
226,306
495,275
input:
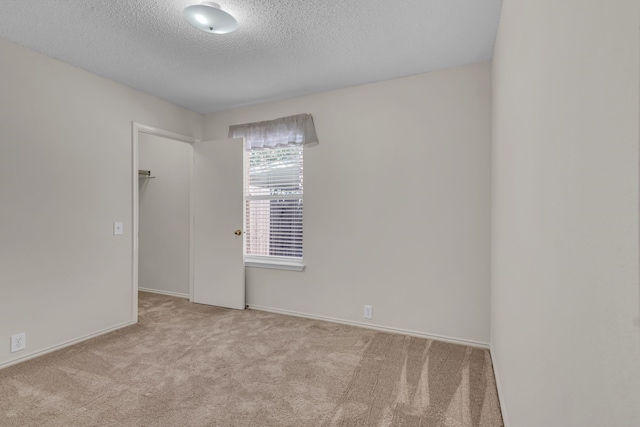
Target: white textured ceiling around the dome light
x,y
283,48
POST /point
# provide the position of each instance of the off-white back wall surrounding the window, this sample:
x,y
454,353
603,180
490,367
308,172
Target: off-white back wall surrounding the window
x,y
397,204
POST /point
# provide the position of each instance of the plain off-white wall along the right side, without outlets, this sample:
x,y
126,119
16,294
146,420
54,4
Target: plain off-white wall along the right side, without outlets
x,y
565,298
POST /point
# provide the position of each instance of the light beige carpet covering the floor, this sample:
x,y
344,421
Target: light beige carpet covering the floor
x,y
193,365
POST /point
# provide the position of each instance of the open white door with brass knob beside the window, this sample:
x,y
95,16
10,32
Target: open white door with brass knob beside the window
x,y
218,270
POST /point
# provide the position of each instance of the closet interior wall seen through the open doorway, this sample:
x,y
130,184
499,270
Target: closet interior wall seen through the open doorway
x,y
164,215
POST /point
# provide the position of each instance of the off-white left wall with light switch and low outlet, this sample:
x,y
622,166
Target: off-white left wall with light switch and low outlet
x,y
65,176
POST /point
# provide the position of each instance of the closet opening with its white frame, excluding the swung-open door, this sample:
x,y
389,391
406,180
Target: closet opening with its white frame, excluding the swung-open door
x,y
146,185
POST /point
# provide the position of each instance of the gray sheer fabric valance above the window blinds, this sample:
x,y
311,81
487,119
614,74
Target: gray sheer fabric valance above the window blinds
x,y
292,130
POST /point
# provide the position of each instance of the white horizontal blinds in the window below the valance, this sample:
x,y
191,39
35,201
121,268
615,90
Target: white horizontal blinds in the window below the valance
x,y
273,202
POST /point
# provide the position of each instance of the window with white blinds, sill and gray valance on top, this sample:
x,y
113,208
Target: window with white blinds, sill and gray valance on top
x,y
273,189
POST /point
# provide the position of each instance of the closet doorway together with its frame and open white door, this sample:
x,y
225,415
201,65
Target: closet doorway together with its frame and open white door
x,y
215,211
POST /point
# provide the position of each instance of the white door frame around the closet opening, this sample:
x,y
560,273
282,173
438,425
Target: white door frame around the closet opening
x,y
136,130
